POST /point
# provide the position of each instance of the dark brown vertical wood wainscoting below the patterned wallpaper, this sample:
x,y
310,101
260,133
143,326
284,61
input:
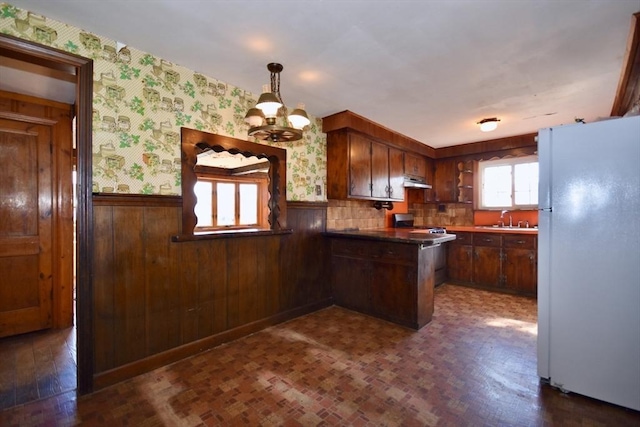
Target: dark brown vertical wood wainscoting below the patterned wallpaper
x,y
157,301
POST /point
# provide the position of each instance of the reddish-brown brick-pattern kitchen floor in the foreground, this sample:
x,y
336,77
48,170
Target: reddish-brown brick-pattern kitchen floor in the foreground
x,y
473,365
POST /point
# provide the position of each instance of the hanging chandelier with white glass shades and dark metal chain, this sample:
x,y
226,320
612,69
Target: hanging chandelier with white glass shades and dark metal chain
x,y
263,119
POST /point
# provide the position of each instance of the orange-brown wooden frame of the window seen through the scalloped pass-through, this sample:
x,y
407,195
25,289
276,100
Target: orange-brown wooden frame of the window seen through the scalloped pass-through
x,y
261,180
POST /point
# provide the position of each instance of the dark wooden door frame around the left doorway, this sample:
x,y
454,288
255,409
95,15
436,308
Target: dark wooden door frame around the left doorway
x,y
82,68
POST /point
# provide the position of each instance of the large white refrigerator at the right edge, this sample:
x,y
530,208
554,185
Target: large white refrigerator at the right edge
x,y
589,259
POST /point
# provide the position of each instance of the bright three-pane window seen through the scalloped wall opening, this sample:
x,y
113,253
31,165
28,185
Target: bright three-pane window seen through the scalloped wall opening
x,y
229,203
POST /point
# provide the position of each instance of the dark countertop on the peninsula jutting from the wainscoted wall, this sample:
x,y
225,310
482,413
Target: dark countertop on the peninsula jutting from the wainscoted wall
x,y
399,235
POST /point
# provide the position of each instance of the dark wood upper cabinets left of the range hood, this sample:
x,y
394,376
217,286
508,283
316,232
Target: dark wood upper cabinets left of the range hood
x,y
359,167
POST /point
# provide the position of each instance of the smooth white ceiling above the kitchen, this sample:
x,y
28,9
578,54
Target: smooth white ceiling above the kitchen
x,y
428,69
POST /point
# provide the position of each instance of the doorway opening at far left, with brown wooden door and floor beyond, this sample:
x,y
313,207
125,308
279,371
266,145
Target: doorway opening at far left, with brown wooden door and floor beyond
x,y
37,338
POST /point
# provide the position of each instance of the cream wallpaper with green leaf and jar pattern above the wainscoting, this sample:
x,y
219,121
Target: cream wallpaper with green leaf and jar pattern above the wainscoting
x,y
141,101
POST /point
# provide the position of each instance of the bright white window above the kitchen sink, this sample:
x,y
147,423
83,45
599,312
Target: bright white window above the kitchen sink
x,y
508,183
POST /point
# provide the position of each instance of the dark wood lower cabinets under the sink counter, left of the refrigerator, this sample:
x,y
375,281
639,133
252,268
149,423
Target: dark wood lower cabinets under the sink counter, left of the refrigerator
x,y
503,262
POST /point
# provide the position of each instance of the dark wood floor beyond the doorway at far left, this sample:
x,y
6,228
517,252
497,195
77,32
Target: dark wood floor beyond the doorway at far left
x,y
37,365
